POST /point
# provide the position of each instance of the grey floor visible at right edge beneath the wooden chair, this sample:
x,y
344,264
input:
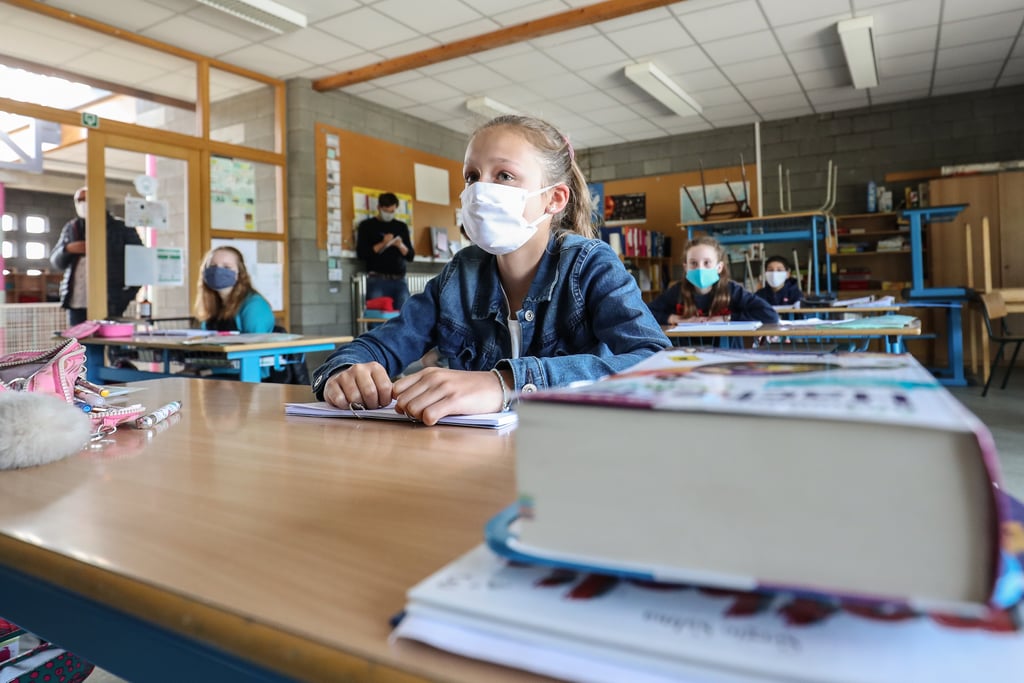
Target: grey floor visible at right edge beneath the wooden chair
x,y
1002,411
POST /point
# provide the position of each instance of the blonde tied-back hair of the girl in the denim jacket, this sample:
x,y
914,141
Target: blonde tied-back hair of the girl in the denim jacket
x,y
559,161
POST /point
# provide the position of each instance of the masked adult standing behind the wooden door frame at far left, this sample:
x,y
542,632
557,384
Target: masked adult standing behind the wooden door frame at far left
x,y
69,255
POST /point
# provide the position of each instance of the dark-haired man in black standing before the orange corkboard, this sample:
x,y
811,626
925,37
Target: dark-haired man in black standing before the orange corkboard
x,y
385,246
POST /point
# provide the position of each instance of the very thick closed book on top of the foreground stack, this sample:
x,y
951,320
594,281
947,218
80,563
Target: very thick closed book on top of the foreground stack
x,y
834,471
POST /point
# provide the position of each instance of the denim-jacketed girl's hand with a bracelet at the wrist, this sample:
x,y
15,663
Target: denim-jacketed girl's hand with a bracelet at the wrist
x,y
437,393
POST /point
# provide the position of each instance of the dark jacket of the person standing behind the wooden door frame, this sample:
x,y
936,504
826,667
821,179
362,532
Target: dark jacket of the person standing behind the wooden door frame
x,y
118,235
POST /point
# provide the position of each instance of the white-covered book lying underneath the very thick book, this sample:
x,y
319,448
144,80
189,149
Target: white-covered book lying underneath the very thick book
x,y
582,626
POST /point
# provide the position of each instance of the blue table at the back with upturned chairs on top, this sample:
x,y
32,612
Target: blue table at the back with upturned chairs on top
x,y
810,227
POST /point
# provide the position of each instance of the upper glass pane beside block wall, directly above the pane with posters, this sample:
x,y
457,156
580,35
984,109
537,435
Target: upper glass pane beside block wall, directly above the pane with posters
x,y
241,111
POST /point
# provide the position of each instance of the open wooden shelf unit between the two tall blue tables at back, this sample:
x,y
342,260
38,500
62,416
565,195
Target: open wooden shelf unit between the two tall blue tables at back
x,y
872,257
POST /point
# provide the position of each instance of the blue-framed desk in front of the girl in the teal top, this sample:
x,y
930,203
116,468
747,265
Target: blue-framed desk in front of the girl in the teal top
x,y
249,356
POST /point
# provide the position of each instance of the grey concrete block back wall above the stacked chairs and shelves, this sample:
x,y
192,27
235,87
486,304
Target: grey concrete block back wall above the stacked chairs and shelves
x,y
865,144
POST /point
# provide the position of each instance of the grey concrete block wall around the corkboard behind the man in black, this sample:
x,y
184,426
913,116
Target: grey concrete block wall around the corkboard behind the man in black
x,y
319,307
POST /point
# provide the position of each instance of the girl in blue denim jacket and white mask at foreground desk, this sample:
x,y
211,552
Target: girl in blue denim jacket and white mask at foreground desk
x,y
536,303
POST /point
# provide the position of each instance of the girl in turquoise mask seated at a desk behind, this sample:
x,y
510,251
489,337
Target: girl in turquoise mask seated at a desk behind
x,y
708,295
